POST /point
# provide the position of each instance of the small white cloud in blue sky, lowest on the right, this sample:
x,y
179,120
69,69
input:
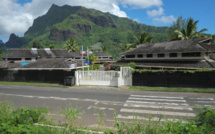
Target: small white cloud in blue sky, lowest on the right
x,y
165,19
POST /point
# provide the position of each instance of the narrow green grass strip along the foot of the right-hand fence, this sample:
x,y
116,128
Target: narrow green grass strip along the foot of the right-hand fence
x,y
173,89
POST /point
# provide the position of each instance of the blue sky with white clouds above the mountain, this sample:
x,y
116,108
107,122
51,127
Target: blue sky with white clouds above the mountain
x,y
16,16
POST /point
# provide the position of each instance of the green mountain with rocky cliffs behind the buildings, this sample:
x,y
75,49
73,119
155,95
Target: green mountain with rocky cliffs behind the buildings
x,y
88,27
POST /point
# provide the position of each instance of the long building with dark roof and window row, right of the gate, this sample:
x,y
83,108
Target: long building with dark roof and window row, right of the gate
x,y
182,54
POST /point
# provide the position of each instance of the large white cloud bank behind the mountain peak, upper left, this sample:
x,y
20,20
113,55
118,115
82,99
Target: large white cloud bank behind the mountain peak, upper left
x,y
17,18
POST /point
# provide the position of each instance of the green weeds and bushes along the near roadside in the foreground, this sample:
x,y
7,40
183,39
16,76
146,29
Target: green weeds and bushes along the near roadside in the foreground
x,y
36,120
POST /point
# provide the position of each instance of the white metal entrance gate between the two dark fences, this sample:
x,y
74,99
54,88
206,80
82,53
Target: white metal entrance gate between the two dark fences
x,y
104,78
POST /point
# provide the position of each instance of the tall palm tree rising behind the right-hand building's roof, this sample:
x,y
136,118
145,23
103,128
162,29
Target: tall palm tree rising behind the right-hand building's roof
x,y
189,30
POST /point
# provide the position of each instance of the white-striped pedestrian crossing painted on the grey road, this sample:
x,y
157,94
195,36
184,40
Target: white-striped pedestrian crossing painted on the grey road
x,y
171,108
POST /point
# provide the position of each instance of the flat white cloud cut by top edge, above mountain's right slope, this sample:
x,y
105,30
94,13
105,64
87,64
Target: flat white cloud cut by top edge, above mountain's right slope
x,y
141,3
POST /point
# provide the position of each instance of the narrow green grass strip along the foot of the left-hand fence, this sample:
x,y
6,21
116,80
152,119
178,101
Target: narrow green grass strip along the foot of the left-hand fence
x,y
28,83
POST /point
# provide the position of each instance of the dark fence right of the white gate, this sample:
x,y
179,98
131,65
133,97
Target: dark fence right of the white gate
x,y
175,79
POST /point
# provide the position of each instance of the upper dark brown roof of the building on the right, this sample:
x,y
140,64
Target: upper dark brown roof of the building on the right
x,y
191,45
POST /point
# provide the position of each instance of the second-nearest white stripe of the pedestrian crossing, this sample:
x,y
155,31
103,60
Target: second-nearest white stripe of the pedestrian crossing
x,y
157,112
